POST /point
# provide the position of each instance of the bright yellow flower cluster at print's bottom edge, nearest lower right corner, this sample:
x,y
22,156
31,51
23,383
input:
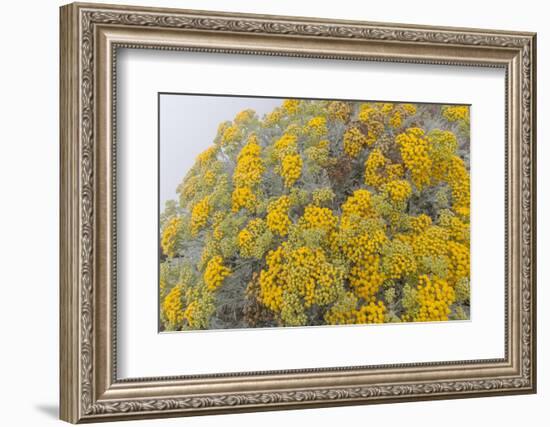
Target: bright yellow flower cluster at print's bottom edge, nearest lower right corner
x,y
435,298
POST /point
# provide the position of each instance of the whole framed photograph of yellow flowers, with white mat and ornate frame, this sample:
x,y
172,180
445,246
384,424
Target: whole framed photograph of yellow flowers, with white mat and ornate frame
x,y
266,212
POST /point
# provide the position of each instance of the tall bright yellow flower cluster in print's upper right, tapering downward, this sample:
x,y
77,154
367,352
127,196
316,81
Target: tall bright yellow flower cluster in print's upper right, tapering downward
x,y
415,154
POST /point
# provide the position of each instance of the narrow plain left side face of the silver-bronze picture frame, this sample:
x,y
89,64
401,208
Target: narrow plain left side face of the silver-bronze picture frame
x,y
69,355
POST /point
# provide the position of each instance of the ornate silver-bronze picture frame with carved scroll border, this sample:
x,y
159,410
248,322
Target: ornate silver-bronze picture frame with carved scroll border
x,y
90,36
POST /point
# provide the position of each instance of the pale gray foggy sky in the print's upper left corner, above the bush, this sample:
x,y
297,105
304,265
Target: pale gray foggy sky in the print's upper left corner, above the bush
x,y
188,125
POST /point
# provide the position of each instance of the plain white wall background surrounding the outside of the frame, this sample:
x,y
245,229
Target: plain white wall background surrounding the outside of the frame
x,y
29,171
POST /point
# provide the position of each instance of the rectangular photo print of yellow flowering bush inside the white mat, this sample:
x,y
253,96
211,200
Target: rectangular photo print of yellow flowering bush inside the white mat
x,y
281,212
